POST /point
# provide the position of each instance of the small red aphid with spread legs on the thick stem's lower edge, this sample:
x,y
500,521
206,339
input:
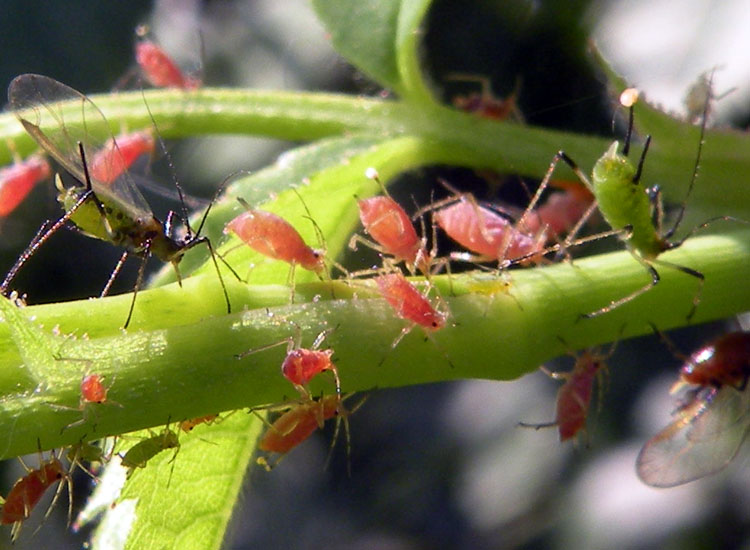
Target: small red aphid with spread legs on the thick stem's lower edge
x,y
303,364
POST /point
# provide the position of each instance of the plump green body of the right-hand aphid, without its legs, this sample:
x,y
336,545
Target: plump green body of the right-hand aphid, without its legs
x,y
624,203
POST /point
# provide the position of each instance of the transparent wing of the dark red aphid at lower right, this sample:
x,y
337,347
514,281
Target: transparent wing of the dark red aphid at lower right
x,y
704,437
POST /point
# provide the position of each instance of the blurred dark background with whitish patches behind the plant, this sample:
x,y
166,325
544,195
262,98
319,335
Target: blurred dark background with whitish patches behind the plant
x,y
442,466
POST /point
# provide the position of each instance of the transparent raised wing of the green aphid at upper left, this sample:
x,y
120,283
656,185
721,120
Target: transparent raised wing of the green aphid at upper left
x,y
58,118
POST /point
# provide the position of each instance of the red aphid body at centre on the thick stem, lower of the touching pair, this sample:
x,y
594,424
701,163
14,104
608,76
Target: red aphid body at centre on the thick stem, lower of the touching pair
x,y
408,302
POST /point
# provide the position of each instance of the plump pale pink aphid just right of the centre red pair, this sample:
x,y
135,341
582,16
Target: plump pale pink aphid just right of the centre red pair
x,y
486,233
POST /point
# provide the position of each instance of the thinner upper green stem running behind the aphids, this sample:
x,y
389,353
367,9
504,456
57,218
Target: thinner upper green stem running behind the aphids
x,y
501,146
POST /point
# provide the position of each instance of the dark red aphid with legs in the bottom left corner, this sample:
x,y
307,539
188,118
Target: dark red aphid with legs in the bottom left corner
x,y
28,491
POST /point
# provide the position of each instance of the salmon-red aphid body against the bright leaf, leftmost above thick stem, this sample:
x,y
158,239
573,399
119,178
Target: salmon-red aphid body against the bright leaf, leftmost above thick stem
x,y
274,237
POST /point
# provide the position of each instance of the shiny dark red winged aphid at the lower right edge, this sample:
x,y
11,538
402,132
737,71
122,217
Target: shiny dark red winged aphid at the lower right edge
x,y
710,422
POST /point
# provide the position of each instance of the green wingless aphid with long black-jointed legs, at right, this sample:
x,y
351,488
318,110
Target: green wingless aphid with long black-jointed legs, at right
x,y
626,205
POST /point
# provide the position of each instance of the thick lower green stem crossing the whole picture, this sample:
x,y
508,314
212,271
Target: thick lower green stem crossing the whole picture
x,y
184,371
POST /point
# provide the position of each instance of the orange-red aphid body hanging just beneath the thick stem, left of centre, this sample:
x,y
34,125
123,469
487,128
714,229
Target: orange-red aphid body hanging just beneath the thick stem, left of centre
x,y
298,423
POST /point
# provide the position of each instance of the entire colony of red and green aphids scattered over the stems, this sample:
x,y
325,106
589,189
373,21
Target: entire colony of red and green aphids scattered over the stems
x,y
109,207
